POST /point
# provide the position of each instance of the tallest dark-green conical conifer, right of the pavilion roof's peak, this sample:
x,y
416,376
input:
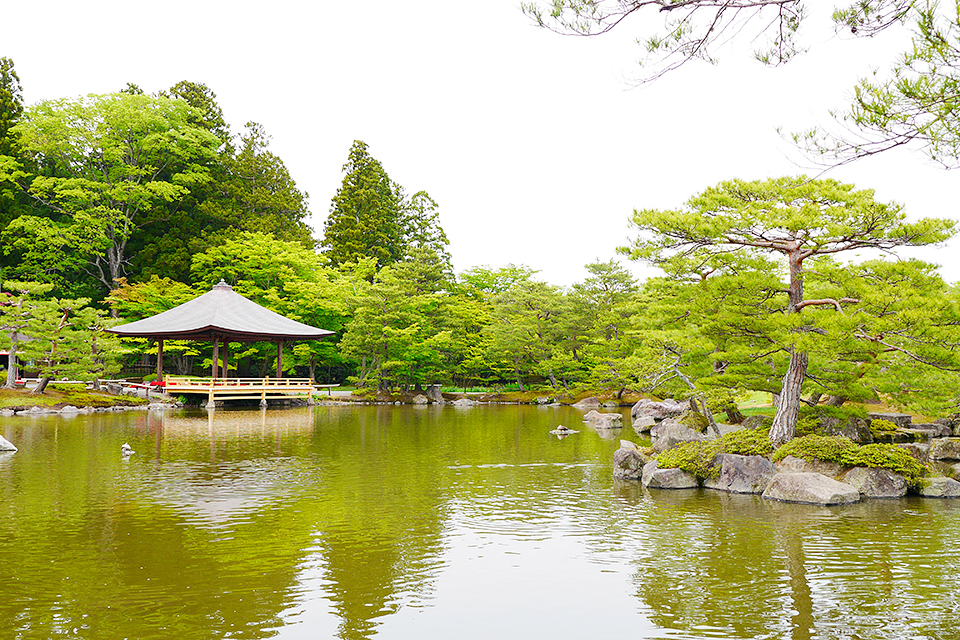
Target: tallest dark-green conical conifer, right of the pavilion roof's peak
x,y
366,214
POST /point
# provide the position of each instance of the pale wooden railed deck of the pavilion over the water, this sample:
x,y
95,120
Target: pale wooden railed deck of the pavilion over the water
x,y
262,389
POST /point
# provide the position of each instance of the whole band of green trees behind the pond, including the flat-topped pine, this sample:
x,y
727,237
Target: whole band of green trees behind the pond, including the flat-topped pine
x,y
132,203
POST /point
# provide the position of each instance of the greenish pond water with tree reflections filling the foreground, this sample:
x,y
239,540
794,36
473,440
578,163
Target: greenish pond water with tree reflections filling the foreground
x,y
431,522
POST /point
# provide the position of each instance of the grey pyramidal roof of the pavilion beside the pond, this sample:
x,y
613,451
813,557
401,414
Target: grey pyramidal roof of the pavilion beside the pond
x,y
221,314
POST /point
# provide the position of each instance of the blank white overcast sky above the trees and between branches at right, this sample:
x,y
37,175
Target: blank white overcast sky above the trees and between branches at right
x,y
533,144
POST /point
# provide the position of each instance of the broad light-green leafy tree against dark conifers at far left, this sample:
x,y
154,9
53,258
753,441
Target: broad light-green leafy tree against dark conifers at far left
x,y
115,160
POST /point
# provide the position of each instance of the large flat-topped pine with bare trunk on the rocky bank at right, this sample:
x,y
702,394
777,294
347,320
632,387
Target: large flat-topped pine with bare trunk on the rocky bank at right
x,y
798,221
